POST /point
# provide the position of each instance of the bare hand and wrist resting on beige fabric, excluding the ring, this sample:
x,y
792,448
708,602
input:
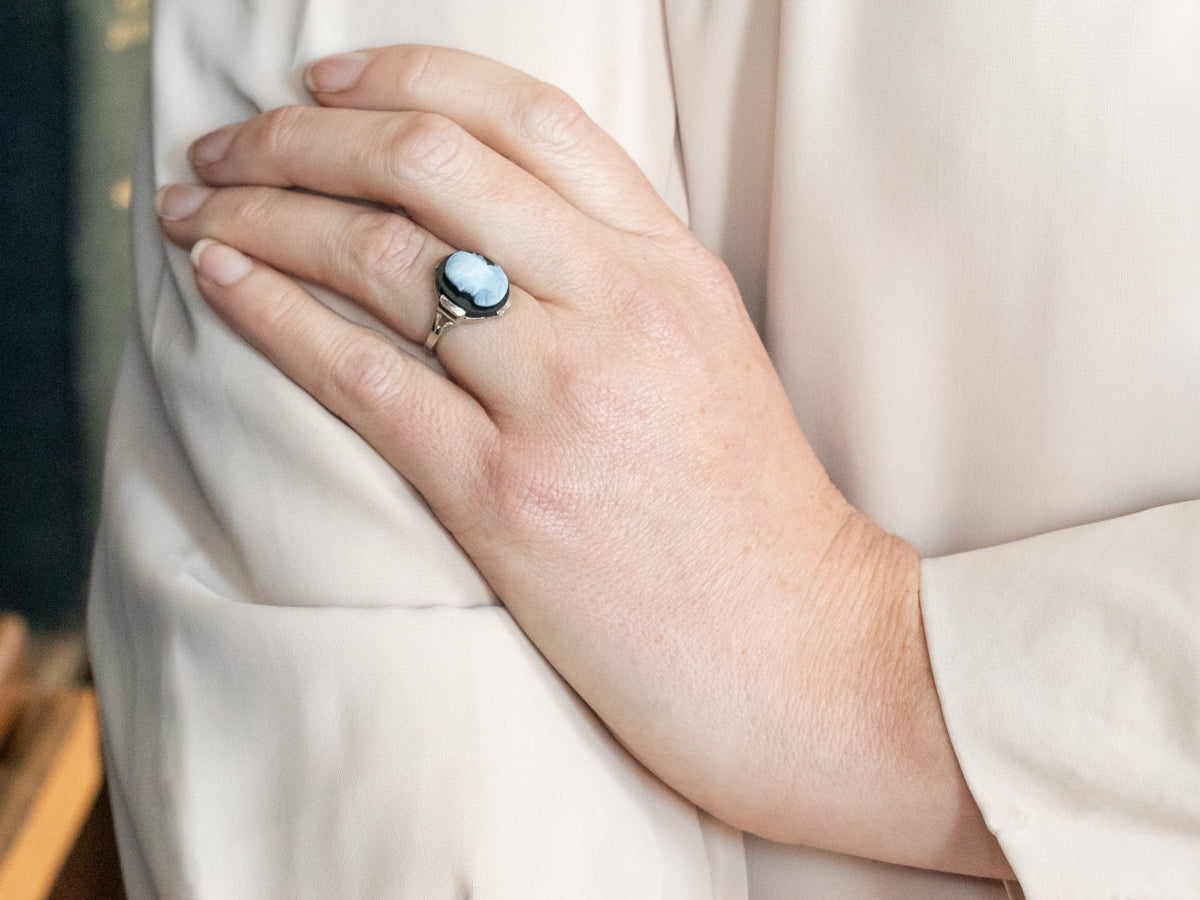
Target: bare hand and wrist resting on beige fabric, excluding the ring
x,y
616,454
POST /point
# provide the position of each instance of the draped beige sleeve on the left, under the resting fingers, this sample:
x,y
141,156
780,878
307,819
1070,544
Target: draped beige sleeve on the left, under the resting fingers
x,y
308,689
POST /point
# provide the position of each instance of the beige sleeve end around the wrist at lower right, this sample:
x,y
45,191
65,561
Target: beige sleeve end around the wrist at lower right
x,y
1069,668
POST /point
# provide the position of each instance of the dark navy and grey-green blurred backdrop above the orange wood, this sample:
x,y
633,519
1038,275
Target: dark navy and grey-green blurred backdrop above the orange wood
x,y
71,99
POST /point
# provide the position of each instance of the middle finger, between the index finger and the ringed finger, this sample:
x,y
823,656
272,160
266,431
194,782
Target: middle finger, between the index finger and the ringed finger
x,y
454,187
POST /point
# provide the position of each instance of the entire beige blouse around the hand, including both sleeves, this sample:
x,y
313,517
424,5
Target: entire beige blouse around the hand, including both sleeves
x,y
970,235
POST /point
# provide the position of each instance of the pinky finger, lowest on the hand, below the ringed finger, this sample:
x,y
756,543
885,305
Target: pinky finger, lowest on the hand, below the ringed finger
x,y
427,428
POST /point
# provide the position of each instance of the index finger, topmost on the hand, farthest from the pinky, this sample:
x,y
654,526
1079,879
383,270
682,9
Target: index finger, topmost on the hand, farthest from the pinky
x,y
532,123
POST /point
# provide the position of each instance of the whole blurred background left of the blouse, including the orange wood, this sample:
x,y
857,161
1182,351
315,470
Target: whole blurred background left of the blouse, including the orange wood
x,y
73,89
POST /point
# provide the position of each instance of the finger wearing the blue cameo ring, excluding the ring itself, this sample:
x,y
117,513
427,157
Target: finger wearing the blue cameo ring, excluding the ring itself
x,y
381,260
